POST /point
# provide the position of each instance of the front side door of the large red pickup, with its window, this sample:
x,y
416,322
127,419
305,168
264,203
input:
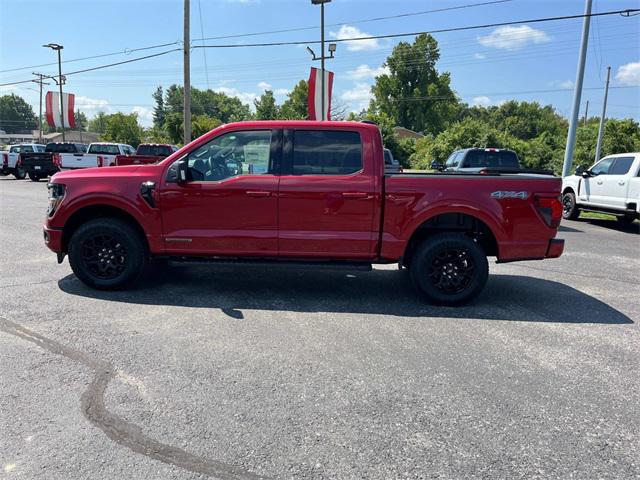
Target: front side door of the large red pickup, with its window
x,y
229,205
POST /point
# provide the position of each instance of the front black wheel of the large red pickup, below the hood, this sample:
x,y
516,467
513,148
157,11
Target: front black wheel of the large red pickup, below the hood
x,y
107,254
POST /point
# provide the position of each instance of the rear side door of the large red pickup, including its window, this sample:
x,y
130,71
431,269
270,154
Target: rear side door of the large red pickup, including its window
x,y
327,194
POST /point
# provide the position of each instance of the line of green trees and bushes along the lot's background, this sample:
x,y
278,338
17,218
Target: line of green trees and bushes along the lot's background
x,y
411,93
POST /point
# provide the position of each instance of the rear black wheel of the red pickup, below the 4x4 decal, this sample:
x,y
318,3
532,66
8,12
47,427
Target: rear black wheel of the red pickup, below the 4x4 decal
x,y
449,269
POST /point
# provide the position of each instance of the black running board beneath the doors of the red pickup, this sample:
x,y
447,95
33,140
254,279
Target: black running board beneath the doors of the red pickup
x,y
286,264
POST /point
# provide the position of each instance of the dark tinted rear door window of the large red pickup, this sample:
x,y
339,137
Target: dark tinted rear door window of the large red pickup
x,y
326,152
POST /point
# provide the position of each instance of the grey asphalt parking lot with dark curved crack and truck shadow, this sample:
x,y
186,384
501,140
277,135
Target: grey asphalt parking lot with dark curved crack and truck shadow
x,y
246,373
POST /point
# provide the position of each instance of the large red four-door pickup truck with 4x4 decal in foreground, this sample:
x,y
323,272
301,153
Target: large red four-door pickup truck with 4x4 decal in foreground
x,y
303,193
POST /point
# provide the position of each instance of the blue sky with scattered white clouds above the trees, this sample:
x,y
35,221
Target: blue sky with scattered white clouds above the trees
x,y
487,66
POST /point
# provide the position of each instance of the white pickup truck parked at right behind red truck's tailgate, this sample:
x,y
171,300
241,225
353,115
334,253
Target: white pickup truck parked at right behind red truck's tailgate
x,y
610,186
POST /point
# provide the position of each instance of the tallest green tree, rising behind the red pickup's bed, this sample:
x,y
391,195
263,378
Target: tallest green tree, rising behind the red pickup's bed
x,y
413,94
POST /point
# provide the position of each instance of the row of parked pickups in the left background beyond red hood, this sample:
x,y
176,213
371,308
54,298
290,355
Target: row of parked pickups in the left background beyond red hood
x,y
41,161
